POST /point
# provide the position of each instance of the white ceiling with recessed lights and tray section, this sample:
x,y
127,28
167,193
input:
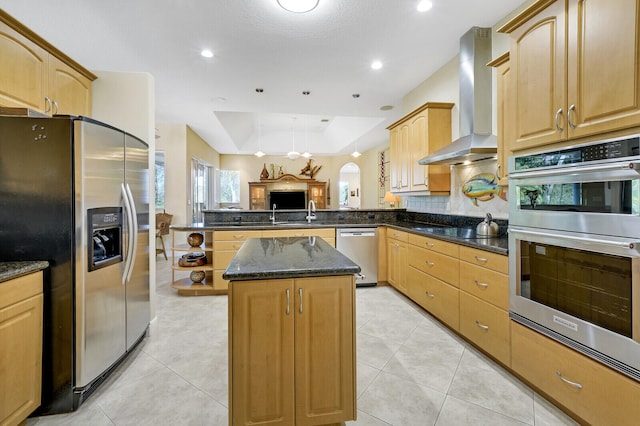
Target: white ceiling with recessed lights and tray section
x,y
258,45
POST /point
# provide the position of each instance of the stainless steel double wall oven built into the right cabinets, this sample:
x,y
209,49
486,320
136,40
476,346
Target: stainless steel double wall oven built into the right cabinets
x,y
574,248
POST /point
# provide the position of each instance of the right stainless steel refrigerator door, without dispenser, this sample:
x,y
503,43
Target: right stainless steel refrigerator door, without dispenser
x,y
137,284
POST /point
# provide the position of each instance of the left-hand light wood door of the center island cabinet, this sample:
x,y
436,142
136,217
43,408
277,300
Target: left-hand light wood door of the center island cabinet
x,y
261,353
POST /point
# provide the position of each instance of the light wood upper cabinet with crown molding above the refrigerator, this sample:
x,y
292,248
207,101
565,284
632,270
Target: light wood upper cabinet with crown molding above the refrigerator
x,y
36,75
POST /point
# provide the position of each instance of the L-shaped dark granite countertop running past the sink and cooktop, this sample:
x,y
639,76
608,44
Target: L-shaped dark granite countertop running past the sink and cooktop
x,y
499,245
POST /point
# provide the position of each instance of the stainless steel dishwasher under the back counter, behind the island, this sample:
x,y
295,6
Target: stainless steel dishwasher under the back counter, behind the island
x,y
361,246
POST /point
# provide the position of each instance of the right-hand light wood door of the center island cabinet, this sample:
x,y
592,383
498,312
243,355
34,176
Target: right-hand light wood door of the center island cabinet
x,y
325,350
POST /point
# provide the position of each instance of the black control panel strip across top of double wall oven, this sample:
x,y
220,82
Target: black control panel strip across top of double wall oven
x,y
592,152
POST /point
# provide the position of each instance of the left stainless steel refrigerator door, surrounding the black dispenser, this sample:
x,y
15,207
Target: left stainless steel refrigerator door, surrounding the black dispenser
x,y
100,294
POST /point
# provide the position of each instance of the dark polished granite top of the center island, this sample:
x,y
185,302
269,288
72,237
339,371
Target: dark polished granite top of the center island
x,y
287,257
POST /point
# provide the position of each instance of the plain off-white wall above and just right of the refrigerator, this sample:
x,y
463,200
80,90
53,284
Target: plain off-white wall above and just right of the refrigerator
x,y
127,101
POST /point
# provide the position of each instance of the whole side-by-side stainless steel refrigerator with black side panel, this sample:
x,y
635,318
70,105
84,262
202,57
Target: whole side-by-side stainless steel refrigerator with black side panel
x,y
74,191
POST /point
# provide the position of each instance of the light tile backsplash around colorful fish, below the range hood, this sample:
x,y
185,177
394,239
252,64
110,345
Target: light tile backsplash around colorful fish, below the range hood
x,y
458,203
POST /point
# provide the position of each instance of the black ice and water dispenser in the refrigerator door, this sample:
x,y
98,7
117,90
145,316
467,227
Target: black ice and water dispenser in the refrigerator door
x,y
105,237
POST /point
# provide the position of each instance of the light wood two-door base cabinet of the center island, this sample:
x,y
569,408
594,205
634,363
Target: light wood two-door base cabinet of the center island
x,y
292,351
